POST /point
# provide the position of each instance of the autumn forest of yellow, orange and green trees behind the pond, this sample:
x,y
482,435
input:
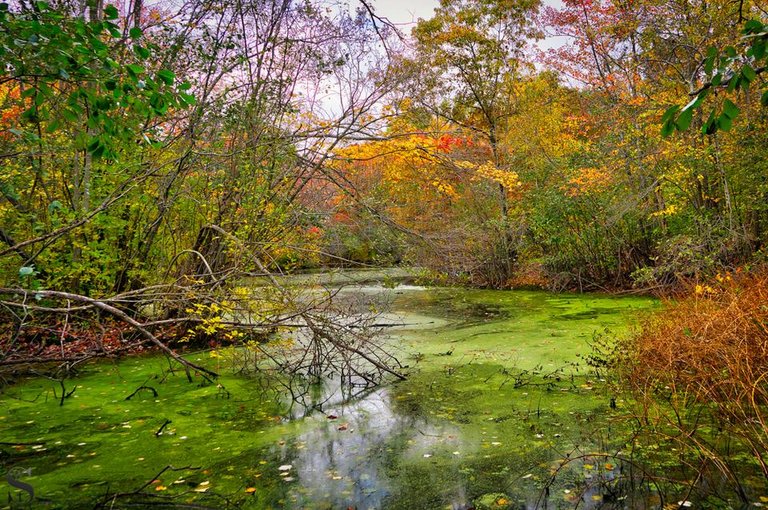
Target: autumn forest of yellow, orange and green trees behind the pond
x,y
155,155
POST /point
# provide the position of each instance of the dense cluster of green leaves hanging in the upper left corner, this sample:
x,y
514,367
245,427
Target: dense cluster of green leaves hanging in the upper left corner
x,y
84,76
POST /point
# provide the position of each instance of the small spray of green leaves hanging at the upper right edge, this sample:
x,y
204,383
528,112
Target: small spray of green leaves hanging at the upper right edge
x,y
731,70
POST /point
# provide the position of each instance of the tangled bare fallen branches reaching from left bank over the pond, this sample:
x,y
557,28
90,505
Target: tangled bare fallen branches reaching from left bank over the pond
x,y
299,333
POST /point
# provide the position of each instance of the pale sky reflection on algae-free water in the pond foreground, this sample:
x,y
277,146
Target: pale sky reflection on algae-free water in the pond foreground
x,y
344,461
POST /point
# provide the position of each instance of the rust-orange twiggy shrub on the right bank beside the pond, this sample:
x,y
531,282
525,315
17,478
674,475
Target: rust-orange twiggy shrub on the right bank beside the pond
x,y
699,366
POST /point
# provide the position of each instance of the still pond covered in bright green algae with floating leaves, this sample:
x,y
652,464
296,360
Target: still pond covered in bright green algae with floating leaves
x,y
499,411
